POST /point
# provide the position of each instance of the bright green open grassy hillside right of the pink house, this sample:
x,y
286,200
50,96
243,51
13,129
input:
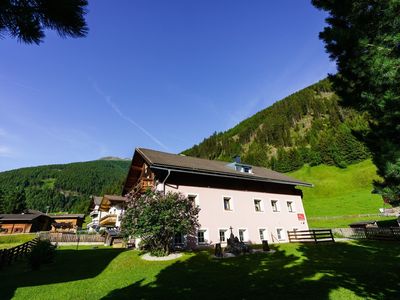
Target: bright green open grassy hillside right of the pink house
x,y
339,192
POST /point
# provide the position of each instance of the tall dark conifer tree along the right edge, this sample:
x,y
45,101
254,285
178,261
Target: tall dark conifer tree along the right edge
x,y
363,38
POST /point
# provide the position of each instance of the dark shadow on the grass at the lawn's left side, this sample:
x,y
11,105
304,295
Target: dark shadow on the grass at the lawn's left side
x,y
69,265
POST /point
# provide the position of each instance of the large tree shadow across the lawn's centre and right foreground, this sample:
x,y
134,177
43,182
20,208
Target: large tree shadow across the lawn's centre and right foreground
x,y
369,269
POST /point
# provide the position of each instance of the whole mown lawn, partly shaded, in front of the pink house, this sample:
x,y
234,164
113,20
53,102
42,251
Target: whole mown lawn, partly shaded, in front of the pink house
x,y
294,271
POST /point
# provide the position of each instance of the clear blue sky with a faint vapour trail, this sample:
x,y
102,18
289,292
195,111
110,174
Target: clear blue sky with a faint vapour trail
x,y
156,74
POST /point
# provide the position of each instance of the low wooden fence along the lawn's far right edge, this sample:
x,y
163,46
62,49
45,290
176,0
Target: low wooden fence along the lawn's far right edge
x,y
370,233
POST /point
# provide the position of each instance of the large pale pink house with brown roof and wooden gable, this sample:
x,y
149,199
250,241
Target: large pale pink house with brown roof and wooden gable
x,y
257,203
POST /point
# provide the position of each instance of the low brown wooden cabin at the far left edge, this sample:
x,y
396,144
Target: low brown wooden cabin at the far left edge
x,y
31,221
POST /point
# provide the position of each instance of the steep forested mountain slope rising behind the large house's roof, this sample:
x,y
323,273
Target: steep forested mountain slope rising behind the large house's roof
x,y
307,127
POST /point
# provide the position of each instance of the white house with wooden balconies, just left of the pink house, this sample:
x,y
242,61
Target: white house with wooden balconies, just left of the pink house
x,y
111,209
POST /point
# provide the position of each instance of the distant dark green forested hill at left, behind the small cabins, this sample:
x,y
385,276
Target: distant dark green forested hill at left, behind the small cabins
x,y
64,187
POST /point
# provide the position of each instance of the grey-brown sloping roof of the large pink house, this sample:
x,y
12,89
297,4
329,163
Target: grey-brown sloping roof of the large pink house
x,y
204,166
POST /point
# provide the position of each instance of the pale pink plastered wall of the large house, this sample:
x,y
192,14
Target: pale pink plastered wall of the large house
x,y
243,215
